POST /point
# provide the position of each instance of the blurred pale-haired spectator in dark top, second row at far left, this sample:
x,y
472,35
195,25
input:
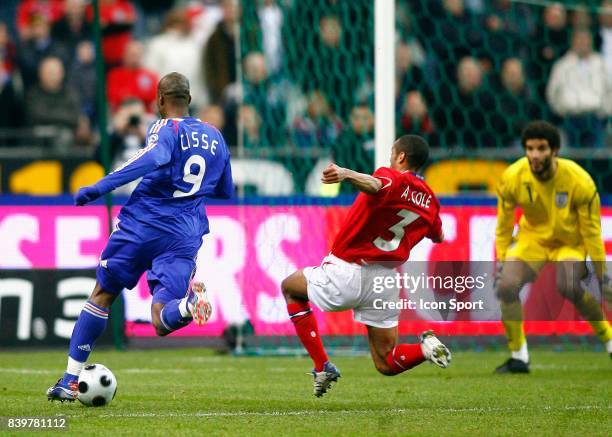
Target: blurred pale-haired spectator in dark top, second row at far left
x,y
51,102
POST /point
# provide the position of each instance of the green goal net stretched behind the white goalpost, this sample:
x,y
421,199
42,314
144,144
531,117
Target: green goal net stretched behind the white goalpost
x,y
468,76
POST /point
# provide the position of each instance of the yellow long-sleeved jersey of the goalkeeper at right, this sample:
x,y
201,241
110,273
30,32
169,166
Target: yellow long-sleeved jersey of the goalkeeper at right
x,y
563,211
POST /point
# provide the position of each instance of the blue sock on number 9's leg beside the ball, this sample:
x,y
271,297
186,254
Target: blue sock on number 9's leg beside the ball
x,y
89,326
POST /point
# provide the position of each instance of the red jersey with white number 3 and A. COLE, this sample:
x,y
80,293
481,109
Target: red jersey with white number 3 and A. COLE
x,y
385,226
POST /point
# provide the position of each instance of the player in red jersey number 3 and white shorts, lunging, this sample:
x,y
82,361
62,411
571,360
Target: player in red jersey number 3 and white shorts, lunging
x,y
394,210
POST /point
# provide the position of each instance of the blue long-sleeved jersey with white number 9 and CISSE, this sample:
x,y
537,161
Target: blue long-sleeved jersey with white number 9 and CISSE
x,y
183,162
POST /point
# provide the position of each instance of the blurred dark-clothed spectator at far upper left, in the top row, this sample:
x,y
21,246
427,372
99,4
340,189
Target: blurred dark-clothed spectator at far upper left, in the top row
x,y
38,46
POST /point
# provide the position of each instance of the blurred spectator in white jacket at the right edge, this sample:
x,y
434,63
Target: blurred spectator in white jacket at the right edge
x,y
580,91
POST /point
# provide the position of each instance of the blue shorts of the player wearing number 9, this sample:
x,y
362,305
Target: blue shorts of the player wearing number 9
x,y
133,250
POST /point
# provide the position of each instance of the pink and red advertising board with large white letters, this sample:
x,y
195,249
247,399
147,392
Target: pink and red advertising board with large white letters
x,y
250,250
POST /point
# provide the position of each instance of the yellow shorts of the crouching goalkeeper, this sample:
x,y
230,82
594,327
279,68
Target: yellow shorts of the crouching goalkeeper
x,y
536,255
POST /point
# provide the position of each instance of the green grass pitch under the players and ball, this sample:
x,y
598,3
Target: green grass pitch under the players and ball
x,y
193,391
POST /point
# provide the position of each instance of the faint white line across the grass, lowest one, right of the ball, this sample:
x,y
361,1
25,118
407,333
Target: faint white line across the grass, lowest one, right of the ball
x,y
347,412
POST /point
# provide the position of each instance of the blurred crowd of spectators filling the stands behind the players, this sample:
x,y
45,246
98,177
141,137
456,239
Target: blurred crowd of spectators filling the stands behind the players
x,y
299,74
